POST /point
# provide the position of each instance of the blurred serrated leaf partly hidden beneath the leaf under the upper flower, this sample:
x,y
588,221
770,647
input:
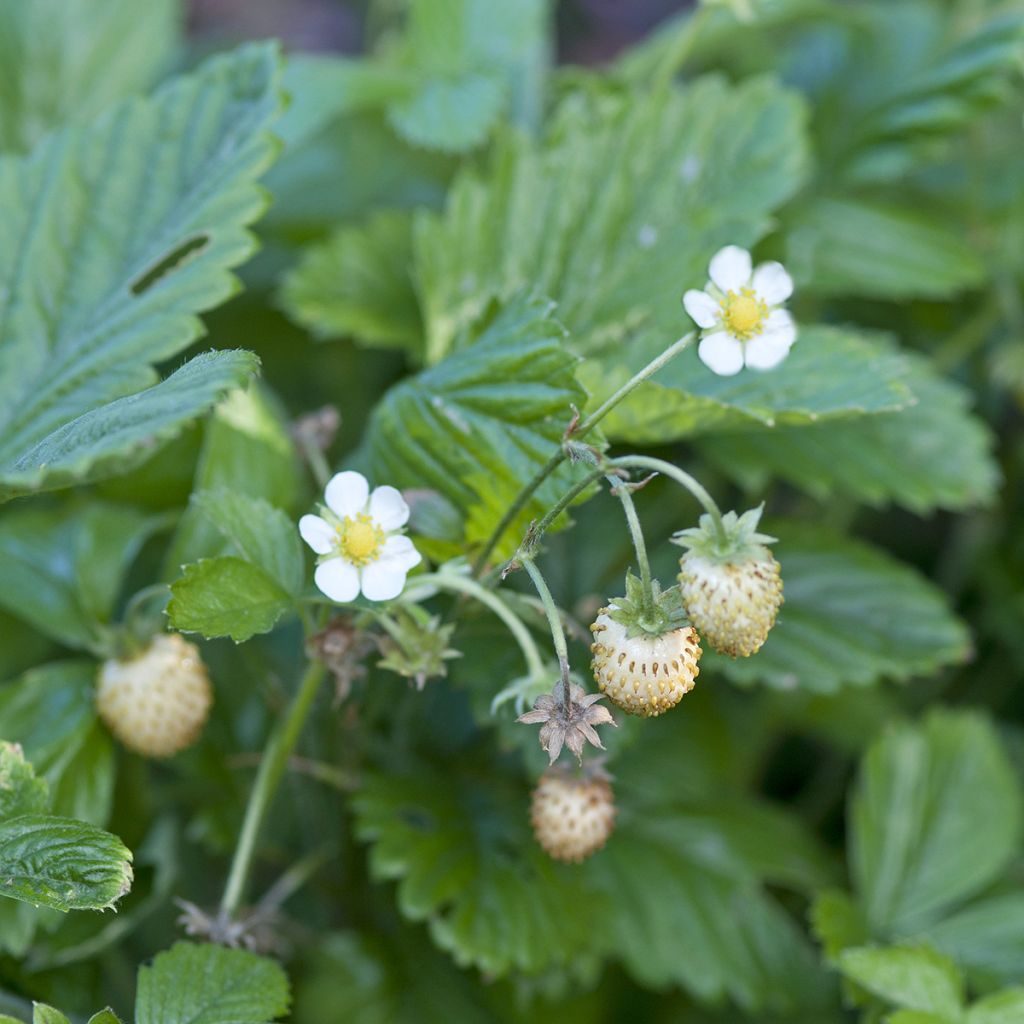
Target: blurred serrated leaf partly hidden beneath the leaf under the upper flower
x,y
934,454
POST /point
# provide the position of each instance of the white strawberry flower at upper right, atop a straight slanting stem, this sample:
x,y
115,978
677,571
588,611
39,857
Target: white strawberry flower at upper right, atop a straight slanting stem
x,y
741,314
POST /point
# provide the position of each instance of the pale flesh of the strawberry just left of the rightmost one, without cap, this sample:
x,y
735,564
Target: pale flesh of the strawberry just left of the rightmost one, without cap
x,y
644,674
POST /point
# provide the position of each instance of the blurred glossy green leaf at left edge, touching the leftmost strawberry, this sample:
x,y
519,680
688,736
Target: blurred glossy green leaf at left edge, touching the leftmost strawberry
x,y
52,710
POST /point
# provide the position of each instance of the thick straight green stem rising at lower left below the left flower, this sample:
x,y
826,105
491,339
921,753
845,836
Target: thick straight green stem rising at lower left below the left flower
x,y
272,769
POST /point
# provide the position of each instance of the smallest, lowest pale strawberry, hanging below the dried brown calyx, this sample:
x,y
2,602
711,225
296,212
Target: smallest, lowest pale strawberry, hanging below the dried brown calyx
x,y
573,818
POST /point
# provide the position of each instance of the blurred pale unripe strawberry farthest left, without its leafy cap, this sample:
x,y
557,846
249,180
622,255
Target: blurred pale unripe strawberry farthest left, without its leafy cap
x,y
156,704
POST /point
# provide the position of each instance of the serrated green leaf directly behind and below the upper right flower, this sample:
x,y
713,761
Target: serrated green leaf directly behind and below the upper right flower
x,y
830,374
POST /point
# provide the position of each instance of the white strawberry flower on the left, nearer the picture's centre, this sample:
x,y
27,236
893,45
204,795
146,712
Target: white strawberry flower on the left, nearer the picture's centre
x,y
360,542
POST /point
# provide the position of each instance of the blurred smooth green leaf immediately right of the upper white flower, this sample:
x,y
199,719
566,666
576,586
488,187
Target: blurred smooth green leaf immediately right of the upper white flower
x,y
860,247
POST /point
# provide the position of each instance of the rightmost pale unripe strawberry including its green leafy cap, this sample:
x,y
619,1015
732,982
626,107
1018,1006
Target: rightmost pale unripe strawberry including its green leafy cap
x,y
732,591
